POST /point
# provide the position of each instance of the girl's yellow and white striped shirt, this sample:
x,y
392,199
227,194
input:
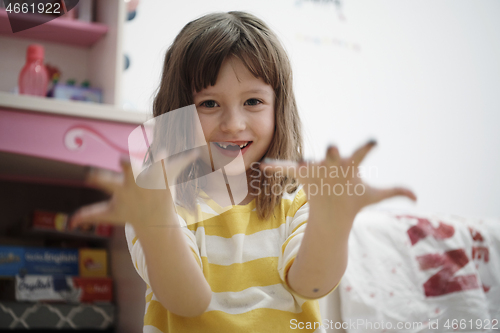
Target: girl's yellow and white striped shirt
x,y
245,261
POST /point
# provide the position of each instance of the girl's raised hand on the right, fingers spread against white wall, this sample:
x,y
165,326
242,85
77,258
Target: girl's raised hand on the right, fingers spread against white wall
x,y
334,183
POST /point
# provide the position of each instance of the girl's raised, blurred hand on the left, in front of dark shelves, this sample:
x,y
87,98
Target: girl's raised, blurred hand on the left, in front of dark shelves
x,y
129,202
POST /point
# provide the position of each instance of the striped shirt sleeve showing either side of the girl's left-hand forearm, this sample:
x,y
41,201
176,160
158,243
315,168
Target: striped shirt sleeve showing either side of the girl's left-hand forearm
x,y
137,254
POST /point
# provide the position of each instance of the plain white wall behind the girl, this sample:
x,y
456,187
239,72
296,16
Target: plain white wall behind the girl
x,y
420,76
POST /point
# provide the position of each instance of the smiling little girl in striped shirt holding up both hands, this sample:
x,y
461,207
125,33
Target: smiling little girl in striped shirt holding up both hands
x,y
261,265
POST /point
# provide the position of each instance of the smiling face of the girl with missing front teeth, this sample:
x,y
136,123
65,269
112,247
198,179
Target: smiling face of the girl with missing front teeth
x,y
237,110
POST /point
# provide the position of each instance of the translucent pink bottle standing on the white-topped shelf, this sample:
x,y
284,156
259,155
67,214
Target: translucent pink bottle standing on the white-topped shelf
x,y
34,78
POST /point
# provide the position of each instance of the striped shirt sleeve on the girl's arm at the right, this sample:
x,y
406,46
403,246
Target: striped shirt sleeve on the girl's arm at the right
x,y
296,223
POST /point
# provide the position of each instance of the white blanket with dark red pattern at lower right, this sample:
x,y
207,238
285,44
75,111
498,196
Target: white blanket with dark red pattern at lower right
x,y
422,273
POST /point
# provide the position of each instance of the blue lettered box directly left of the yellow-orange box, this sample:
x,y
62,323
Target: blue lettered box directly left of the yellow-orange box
x,y
51,261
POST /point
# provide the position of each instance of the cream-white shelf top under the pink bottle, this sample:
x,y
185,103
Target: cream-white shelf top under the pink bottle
x,y
70,108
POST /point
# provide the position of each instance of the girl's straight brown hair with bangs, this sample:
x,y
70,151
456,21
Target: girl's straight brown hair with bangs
x,y
192,63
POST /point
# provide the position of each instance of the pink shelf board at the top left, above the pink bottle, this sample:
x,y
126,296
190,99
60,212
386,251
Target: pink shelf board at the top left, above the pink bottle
x,y
59,30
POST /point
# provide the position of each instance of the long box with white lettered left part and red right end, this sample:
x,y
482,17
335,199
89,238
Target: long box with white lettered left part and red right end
x,y
35,288
